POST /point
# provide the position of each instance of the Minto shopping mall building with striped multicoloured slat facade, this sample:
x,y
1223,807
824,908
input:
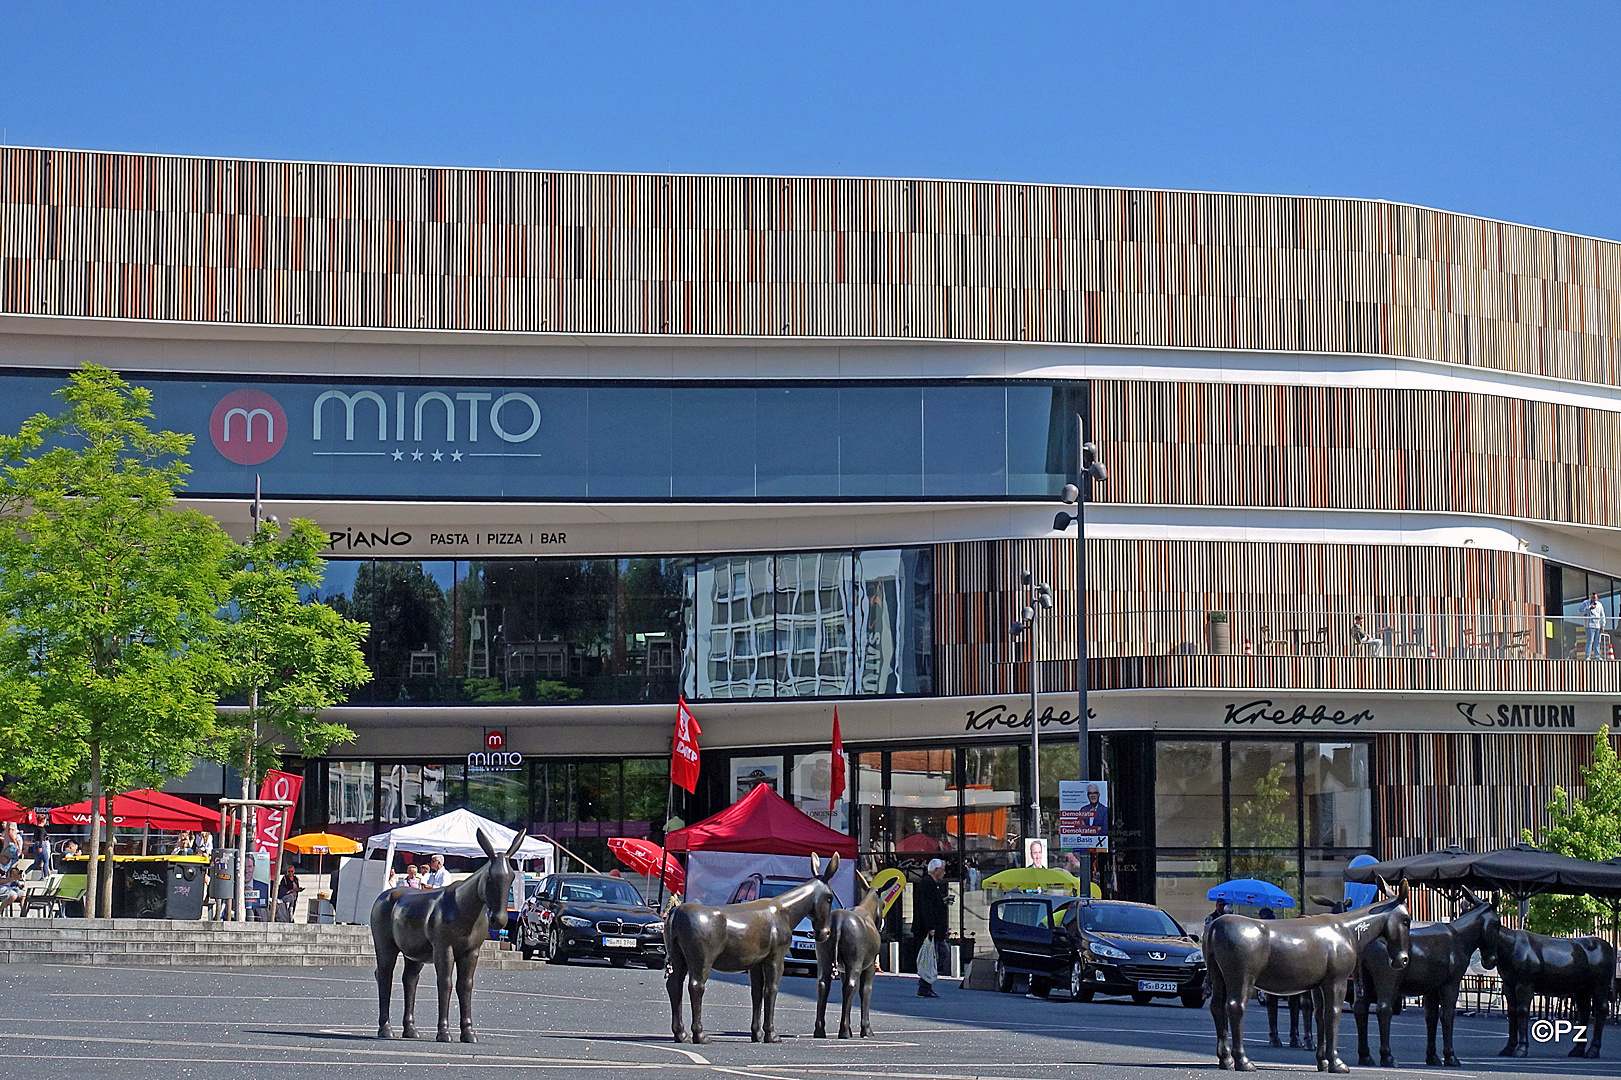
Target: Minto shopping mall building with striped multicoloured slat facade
x,y
584,444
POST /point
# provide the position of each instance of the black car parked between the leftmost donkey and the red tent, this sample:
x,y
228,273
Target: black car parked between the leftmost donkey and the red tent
x,y
591,915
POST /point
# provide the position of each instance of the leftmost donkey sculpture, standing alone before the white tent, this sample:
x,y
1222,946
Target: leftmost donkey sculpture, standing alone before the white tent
x,y
447,927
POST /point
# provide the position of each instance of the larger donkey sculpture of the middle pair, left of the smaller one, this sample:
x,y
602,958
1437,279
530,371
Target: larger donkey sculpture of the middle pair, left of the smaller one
x,y
750,938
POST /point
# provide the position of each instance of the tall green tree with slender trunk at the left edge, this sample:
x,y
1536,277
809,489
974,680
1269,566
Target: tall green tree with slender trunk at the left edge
x,y
109,599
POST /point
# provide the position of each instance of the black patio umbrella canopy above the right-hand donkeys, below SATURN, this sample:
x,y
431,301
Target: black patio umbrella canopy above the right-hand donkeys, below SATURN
x,y
1521,872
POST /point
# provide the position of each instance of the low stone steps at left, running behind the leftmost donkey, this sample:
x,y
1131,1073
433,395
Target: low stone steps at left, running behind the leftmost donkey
x,y
171,943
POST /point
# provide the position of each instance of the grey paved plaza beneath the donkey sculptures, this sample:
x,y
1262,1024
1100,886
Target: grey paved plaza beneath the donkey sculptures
x,y
148,1024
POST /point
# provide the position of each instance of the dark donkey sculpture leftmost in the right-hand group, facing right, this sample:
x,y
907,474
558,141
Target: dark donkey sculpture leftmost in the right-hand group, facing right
x,y
1315,954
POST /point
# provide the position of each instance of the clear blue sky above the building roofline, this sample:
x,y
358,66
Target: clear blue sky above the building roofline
x,y
1500,109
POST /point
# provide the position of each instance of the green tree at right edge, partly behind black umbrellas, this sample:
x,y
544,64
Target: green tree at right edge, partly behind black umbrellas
x,y
1585,829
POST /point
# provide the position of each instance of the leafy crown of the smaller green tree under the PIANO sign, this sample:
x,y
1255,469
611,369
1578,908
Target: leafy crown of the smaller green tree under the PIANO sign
x,y
289,658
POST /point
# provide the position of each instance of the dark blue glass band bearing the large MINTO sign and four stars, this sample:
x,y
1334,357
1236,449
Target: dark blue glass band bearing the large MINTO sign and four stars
x,y
453,440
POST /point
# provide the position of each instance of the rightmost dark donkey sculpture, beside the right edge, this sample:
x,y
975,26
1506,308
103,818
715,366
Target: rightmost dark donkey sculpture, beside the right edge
x,y
1581,969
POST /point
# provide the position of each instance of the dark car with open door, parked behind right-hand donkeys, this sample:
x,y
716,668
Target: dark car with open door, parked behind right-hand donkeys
x,y
1095,948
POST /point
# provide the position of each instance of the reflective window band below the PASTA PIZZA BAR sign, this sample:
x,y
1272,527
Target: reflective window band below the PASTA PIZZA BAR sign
x,y
638,630
